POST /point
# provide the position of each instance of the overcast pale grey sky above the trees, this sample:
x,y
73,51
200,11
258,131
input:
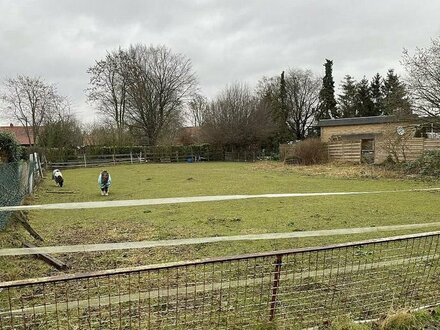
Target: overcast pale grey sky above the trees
x,y
227,40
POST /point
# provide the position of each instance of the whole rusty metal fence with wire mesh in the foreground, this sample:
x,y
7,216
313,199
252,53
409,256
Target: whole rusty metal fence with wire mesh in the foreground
x,y
289,289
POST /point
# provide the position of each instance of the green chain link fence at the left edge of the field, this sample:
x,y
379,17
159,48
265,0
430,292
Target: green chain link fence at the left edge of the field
x,y
16,180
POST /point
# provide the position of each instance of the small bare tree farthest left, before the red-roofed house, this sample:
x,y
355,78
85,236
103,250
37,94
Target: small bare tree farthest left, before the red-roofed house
x,y
31,101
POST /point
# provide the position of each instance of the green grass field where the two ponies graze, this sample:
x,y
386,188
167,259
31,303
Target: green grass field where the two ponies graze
x,y
255,216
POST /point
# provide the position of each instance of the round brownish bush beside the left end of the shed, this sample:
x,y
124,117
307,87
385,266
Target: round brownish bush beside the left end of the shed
x,y
310,151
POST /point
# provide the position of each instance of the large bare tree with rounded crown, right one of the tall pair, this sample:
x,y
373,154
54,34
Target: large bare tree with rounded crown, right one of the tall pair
x,y
159,82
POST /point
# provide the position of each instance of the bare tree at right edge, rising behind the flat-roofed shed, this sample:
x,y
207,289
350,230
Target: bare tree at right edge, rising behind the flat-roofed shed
x,y
423,70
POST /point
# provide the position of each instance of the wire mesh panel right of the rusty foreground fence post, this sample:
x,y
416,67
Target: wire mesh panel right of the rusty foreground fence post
x,y
364,281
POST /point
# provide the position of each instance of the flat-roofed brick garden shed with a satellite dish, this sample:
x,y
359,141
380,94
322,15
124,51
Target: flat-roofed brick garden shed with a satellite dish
x,y
373,139
